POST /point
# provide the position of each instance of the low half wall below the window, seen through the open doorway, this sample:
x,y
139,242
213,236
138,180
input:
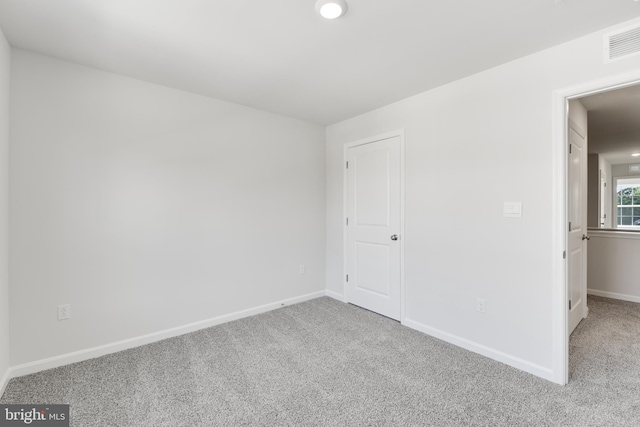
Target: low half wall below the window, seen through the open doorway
x,y
613,267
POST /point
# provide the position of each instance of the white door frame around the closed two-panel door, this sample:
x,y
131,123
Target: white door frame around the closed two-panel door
x,y
396,133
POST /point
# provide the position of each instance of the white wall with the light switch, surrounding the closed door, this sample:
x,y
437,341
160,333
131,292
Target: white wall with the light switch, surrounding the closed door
x,y
484,140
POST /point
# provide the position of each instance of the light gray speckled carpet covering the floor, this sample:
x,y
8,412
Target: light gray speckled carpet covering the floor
x,y
324,363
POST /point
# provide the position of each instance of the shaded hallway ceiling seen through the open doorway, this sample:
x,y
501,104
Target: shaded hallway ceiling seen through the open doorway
x,y
614,124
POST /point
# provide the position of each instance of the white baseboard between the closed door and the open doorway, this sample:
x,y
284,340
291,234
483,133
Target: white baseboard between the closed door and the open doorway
x,y
499,356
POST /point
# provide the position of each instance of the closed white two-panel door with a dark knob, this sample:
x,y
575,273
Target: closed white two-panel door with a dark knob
x,y
373,226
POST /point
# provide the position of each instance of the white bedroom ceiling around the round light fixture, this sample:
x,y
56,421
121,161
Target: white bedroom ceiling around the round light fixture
x,y
280,56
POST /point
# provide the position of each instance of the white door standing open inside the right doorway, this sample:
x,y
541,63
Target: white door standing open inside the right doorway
x,y
577,210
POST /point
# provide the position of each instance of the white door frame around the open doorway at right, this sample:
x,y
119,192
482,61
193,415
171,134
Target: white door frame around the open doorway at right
x,y
560,210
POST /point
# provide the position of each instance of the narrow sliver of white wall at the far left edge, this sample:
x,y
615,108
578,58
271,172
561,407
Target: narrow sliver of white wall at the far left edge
x,y
4,209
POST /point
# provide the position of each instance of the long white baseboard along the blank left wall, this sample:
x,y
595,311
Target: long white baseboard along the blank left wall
x,y
91,353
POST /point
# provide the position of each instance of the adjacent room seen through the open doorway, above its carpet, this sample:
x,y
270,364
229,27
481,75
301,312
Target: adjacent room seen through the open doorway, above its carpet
x,y
614,193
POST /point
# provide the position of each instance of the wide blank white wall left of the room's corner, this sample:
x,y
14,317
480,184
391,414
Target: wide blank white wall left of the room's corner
x,y
148,208
